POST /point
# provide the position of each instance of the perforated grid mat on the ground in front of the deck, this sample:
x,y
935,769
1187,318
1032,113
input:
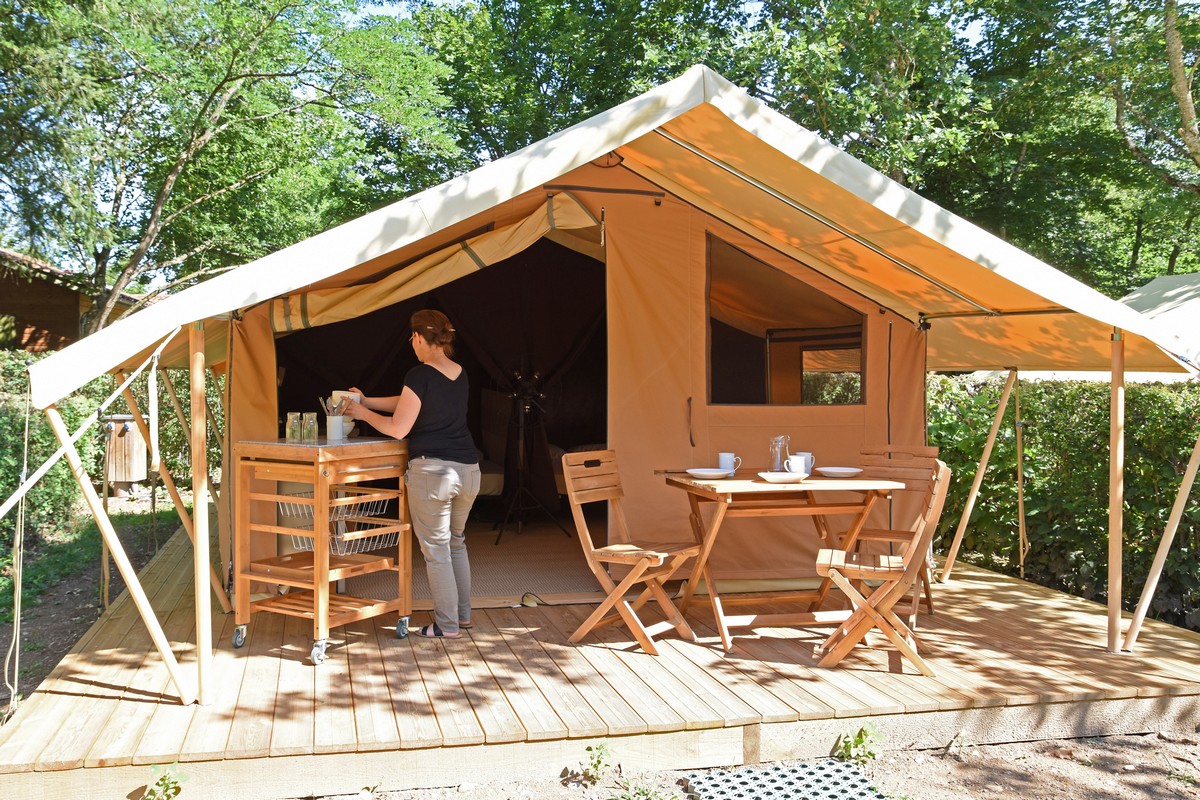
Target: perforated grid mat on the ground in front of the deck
x,y
827,780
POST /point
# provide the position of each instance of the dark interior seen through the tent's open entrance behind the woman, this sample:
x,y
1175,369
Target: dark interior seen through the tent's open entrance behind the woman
x,y
531,335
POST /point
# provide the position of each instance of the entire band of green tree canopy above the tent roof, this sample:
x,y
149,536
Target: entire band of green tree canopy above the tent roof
x,y
149,143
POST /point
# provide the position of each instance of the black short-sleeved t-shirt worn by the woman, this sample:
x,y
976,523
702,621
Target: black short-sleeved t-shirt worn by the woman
x,y
441,428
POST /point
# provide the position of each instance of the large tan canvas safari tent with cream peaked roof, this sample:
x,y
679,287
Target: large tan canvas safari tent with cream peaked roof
x,y
728,270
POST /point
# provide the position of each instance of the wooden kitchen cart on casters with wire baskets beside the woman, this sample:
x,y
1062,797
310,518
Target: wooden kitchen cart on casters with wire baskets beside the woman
x,y
345,530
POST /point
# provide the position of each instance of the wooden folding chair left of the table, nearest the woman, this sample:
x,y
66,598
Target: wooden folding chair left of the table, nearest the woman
x,y
592,477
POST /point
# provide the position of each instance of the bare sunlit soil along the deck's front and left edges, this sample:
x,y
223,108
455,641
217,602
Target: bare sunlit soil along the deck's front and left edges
x,y
1113,768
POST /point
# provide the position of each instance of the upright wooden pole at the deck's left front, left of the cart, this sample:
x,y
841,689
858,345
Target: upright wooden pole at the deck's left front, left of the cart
x,y
203,566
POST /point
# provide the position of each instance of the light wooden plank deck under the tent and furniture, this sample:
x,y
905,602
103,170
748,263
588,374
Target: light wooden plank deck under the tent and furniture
x,y
1013,661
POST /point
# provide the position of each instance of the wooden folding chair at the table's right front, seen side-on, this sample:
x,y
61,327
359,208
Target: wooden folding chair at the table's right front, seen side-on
x,y
898,576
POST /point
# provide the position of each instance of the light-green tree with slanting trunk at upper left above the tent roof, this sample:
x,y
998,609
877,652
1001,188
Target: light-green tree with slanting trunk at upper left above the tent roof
x,y
170,139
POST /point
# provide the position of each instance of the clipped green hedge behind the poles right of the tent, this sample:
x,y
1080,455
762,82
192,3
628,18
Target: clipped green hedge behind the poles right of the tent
x,y
1066,442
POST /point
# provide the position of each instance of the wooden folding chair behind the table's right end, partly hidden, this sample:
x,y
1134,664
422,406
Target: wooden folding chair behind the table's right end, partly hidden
x,y
914,466
